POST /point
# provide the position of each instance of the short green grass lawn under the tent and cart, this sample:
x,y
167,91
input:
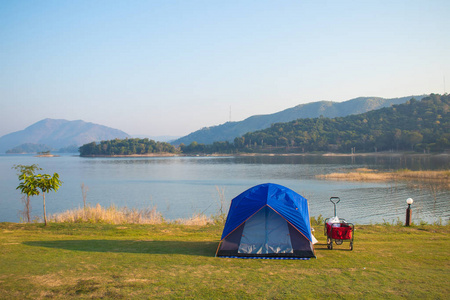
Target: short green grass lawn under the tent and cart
x,y
88,261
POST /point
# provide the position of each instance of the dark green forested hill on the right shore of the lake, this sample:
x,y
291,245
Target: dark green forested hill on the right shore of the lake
x,y
416,125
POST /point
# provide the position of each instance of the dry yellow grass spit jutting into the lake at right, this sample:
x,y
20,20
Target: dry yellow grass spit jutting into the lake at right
x,y
363,174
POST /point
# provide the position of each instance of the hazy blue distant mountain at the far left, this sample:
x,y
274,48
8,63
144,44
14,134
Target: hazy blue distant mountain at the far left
x,y
57,134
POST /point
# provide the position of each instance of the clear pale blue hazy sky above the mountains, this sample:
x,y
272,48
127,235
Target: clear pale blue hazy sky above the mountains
x,y
172,67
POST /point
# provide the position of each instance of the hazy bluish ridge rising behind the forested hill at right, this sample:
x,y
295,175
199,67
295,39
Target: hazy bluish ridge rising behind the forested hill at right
x,y
230,130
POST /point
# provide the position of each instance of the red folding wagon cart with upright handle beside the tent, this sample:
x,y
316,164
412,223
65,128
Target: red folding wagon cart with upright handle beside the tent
x,y
338,230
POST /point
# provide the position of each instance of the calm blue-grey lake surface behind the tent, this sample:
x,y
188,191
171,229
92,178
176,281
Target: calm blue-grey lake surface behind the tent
x,y
182,186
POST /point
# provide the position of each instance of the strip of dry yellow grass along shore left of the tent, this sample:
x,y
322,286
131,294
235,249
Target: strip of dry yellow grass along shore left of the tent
x,y
115,215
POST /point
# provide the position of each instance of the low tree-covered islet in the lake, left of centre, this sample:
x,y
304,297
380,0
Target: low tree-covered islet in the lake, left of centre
x,y
126,147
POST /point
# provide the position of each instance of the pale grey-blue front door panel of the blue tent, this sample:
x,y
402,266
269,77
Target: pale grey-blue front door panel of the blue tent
x,y
266,232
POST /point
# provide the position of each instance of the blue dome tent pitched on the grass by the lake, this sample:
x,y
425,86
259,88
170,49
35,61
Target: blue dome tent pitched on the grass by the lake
x,y
267,221
